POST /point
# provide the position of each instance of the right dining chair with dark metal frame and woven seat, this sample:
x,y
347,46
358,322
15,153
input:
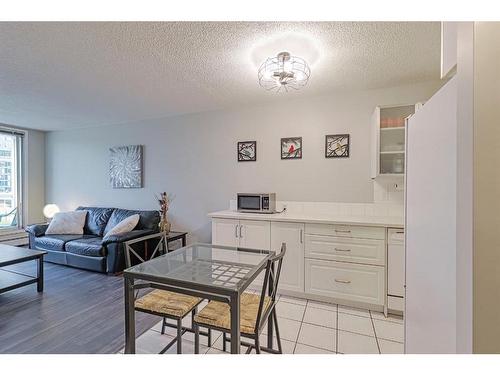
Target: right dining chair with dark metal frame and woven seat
x,y
255,309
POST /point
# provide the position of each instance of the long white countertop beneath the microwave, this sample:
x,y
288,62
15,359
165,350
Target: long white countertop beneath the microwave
x,y
318,218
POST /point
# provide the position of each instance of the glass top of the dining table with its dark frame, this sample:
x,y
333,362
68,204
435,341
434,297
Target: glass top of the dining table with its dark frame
x,y
222,267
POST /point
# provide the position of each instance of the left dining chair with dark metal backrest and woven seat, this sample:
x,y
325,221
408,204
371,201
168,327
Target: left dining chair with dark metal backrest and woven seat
x,y
163,303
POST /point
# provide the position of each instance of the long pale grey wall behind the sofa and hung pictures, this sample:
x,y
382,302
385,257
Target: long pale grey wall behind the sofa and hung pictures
x,y
194,156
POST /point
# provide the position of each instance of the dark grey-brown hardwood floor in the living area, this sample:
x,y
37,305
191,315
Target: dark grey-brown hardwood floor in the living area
x,y
78,312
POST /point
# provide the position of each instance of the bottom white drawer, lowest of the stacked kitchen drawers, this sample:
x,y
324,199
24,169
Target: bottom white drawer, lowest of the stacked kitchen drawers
x,y
353,282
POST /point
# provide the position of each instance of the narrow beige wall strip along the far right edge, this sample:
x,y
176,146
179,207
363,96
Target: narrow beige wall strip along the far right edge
x,y
486,275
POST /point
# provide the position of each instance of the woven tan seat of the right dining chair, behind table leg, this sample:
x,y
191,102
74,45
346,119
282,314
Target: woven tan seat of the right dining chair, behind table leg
x,y
217,314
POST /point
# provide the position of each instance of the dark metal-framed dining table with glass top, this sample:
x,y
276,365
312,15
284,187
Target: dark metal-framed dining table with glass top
x,y
213,272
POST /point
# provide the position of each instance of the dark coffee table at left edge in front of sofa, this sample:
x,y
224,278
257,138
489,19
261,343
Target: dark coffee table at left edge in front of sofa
x,y
10,279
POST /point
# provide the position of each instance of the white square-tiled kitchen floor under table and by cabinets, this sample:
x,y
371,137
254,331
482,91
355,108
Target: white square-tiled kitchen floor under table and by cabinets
x,y
306,327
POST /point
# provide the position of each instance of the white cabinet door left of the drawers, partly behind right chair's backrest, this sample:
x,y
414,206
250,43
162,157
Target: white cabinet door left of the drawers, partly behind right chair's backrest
x,y
292,271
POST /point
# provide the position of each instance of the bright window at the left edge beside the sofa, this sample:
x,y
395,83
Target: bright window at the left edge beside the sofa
x,y
11,144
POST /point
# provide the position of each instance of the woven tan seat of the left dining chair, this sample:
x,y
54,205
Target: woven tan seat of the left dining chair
x,y
167,303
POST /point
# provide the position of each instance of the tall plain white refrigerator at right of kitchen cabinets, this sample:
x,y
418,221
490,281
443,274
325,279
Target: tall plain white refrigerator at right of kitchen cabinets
x,y
430,204
